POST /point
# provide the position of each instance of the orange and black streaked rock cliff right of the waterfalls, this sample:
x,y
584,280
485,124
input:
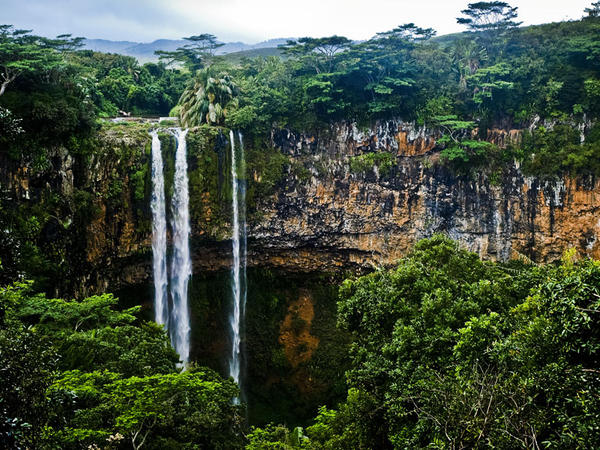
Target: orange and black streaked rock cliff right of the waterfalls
x,y
337,218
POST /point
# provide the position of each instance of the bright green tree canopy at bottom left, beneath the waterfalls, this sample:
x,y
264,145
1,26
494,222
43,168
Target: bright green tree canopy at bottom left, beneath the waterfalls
x,y
161,411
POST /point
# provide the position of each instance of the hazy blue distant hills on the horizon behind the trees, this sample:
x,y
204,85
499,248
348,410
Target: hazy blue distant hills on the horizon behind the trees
x,y
144,52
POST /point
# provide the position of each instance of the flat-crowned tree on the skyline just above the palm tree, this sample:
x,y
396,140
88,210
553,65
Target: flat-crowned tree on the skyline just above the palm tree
x,y
197,54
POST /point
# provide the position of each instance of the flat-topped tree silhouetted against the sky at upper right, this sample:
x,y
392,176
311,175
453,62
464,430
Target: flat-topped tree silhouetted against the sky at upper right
x,y
489,16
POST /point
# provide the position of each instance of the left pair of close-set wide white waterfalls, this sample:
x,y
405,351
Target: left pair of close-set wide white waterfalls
x,y
177,320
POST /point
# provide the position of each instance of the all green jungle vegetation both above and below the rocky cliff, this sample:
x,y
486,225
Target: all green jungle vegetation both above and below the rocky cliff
x,y
447,351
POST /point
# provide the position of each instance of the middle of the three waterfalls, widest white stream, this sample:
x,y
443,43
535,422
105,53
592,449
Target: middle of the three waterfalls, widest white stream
x,y
181,264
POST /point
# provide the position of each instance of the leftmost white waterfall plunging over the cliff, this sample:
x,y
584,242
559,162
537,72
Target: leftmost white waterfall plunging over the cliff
x,y
159,234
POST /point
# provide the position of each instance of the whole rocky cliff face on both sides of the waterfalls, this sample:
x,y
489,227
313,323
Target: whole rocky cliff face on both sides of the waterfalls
x,y
312,210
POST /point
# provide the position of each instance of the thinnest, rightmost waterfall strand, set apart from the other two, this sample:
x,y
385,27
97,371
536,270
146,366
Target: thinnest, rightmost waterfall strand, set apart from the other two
x,y
238,288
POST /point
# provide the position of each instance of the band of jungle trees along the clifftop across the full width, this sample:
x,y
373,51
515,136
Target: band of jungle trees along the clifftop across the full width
x,y
494,75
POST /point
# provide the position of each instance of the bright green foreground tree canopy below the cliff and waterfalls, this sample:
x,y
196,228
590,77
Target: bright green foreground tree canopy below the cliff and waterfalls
x,y
448,352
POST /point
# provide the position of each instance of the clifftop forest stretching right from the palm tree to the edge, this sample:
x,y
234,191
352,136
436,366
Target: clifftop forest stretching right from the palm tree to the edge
x,y
497,73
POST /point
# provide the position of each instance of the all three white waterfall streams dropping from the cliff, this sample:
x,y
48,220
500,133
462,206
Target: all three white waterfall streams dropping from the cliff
x,y
173,311
